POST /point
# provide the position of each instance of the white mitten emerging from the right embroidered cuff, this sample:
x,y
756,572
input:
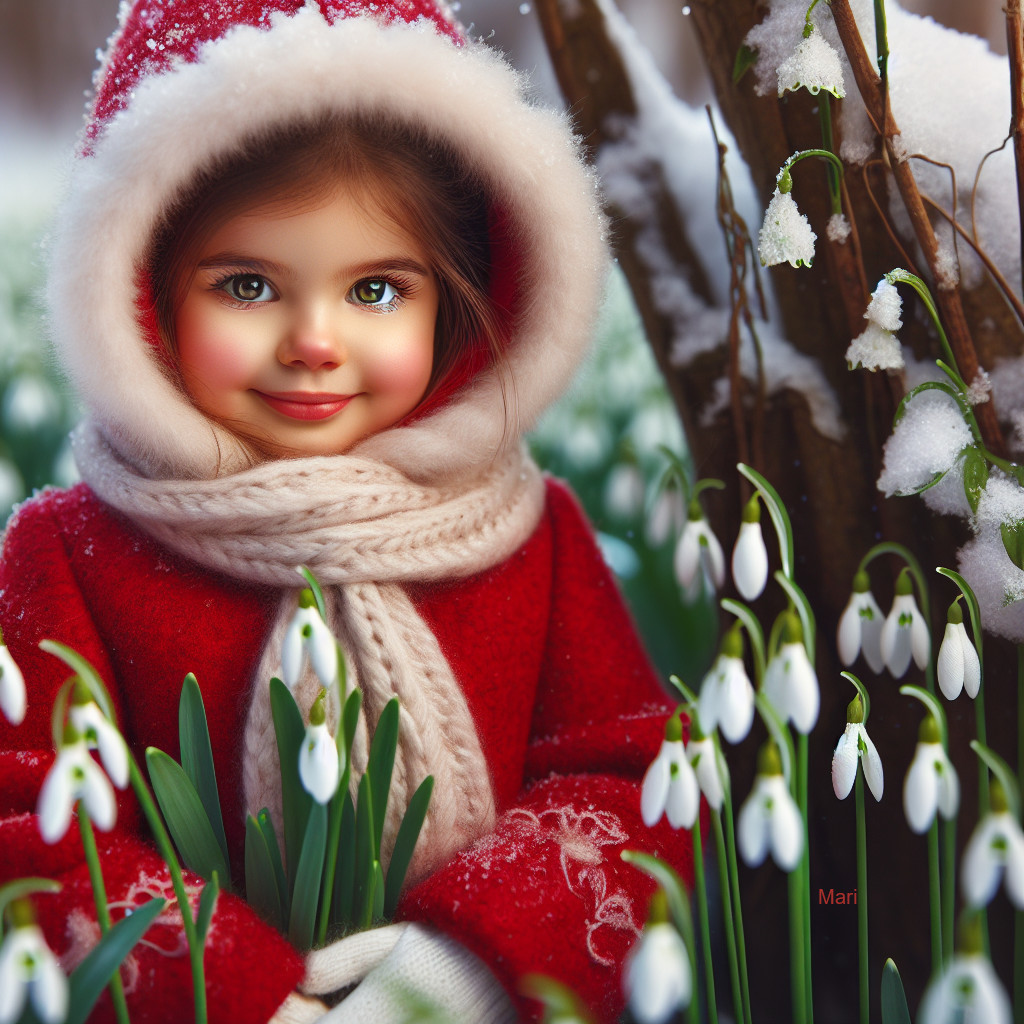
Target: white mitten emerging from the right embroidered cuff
x,y
426,969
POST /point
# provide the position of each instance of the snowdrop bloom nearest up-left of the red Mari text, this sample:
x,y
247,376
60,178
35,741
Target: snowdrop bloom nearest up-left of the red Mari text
x,y
771,820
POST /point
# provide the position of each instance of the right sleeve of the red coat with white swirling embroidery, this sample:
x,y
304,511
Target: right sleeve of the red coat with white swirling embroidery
x,y
548,892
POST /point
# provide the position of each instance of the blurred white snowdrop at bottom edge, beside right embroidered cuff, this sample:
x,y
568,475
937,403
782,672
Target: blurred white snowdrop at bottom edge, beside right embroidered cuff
x,y
658,980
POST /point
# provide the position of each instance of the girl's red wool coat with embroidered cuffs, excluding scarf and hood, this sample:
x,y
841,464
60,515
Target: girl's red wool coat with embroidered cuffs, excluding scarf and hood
x,y
566,704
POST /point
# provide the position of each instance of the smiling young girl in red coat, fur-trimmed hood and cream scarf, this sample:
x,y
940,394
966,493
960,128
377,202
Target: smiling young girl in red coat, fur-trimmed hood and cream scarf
x,y
320,268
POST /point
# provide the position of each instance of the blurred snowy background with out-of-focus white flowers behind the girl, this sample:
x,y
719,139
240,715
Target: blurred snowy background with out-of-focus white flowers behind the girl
x,y
605,437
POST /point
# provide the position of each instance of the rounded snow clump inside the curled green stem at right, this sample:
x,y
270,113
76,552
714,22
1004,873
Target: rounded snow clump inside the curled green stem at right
x,y
926,443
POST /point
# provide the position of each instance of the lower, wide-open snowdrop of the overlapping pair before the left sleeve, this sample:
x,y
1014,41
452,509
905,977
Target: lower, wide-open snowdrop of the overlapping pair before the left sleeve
x,y
74,777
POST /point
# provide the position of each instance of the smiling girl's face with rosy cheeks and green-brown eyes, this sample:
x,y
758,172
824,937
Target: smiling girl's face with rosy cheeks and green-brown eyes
x,y
309,331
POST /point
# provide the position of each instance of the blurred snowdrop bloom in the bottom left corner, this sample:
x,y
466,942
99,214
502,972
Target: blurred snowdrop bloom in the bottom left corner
x,y
29,972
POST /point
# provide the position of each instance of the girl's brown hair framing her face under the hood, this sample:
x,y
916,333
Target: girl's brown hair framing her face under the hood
x,y
416,179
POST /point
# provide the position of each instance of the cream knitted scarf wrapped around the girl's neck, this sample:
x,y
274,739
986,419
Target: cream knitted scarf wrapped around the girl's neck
x,y
365,530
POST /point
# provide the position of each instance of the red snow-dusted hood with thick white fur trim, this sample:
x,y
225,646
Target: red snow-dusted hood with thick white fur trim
x,y
185,81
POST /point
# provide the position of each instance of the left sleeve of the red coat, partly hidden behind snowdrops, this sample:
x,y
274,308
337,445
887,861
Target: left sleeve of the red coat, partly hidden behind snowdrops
x,y
250,969
